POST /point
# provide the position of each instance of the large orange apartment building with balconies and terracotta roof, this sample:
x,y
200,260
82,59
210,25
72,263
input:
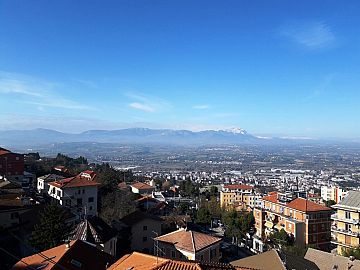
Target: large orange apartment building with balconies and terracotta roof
x,y
307,222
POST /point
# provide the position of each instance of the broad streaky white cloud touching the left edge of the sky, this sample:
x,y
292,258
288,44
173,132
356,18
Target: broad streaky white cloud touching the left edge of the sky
x,y
34,91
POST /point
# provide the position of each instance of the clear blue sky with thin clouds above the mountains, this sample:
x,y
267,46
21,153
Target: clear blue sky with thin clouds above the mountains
x,y
285,68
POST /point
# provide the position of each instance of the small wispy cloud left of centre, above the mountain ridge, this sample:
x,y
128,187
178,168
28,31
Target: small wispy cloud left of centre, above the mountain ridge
x,y
147,103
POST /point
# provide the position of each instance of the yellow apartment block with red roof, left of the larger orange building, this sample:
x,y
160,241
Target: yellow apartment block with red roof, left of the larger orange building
x,y
238,197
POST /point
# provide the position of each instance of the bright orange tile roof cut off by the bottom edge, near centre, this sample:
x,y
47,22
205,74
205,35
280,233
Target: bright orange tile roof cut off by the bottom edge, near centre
x,y
140,261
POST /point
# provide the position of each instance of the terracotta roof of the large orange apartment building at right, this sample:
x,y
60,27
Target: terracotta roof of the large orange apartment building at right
x,y
299,204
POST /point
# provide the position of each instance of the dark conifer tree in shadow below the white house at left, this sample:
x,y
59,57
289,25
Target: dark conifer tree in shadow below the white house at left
x,y
51,230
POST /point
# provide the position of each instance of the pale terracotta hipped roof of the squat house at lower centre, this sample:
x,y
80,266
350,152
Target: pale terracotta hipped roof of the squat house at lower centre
x,y
189,240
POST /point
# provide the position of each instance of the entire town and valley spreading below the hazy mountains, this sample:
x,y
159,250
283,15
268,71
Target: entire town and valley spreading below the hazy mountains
x,y
236,204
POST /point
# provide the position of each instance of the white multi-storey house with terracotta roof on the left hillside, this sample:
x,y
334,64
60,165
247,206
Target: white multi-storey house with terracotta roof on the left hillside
x,y
79,193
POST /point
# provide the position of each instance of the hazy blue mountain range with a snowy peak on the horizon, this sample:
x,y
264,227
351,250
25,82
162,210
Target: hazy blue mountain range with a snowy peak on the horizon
x,y
130,135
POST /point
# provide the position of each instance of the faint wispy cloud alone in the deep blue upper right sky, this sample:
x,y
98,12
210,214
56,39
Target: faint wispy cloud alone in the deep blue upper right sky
x,y
312,35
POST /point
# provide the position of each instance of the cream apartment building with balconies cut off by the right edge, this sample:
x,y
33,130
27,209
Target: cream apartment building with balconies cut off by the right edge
x,y
346,227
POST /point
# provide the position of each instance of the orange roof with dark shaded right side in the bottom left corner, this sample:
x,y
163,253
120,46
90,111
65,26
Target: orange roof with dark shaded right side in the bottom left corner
x,y
80,255
